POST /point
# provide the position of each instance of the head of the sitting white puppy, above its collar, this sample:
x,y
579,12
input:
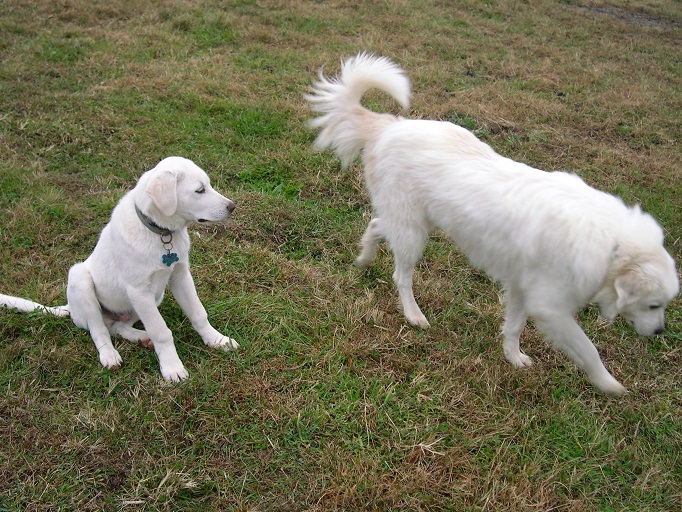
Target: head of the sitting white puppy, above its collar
x,y
177,192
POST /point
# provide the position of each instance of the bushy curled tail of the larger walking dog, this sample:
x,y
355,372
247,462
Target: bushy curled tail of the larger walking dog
x,y
346,126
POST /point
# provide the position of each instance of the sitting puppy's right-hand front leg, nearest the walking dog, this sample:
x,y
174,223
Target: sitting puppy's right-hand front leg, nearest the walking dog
x,y
184,291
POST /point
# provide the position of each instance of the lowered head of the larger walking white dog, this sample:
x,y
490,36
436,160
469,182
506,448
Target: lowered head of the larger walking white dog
x,y
642,290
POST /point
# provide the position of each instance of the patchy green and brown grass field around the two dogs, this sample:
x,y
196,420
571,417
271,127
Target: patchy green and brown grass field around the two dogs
x,y
333,402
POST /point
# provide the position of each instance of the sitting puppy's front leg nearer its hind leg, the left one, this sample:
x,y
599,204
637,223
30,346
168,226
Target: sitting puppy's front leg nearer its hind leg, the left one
x,y
171,367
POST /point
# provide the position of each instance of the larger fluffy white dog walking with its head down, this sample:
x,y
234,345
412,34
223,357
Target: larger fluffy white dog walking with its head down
x,y
555,243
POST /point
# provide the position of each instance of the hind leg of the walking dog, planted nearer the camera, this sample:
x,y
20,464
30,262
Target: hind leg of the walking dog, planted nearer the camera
x,y
407,245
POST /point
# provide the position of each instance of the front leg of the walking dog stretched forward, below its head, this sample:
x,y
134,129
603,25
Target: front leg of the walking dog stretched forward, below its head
x,y
567,335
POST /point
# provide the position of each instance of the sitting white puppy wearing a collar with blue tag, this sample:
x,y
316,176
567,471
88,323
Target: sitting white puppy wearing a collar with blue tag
x,y
144,248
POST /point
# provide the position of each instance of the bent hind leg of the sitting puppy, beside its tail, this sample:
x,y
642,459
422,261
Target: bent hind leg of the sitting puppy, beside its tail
x,y
86,313
